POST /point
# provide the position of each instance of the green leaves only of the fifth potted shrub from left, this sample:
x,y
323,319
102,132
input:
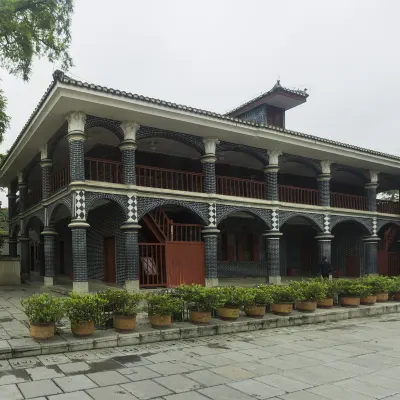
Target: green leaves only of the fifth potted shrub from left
x,y
200,298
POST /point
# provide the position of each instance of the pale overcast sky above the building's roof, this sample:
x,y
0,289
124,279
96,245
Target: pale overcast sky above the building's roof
x,y
218,54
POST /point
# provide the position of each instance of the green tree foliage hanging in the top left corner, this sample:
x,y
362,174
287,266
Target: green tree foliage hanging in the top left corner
x,y
30,28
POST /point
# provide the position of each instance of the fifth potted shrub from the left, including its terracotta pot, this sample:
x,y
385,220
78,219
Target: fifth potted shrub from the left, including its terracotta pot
x,y
201,301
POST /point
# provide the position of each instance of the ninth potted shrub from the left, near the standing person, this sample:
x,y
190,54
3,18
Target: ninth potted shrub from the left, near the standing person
x,y
309,292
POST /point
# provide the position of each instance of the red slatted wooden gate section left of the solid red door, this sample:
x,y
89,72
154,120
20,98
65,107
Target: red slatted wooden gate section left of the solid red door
x,y
152,264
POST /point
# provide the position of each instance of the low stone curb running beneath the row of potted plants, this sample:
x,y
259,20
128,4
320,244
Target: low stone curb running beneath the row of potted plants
x,y
64,343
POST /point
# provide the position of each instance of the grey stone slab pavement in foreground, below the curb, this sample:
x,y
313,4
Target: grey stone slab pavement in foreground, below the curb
x,y
356,359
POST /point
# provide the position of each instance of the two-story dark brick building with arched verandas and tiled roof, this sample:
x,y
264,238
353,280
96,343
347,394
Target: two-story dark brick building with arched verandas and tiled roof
x,y
145,193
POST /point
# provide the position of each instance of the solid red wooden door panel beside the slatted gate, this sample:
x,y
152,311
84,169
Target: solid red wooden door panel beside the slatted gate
x,y
185,263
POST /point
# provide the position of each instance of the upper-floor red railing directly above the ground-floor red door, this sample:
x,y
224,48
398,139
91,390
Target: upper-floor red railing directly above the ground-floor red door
x,y
169,179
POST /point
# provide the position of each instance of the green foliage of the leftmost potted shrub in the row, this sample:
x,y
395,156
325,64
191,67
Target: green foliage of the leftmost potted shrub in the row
x,y
43,308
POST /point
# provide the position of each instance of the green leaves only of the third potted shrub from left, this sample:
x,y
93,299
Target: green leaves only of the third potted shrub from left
x,y
121,301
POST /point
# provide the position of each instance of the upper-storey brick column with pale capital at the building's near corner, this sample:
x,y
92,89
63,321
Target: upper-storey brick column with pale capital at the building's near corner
x,y
76,139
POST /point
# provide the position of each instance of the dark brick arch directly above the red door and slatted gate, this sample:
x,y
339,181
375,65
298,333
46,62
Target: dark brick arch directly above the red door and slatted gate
x,y
145,205
